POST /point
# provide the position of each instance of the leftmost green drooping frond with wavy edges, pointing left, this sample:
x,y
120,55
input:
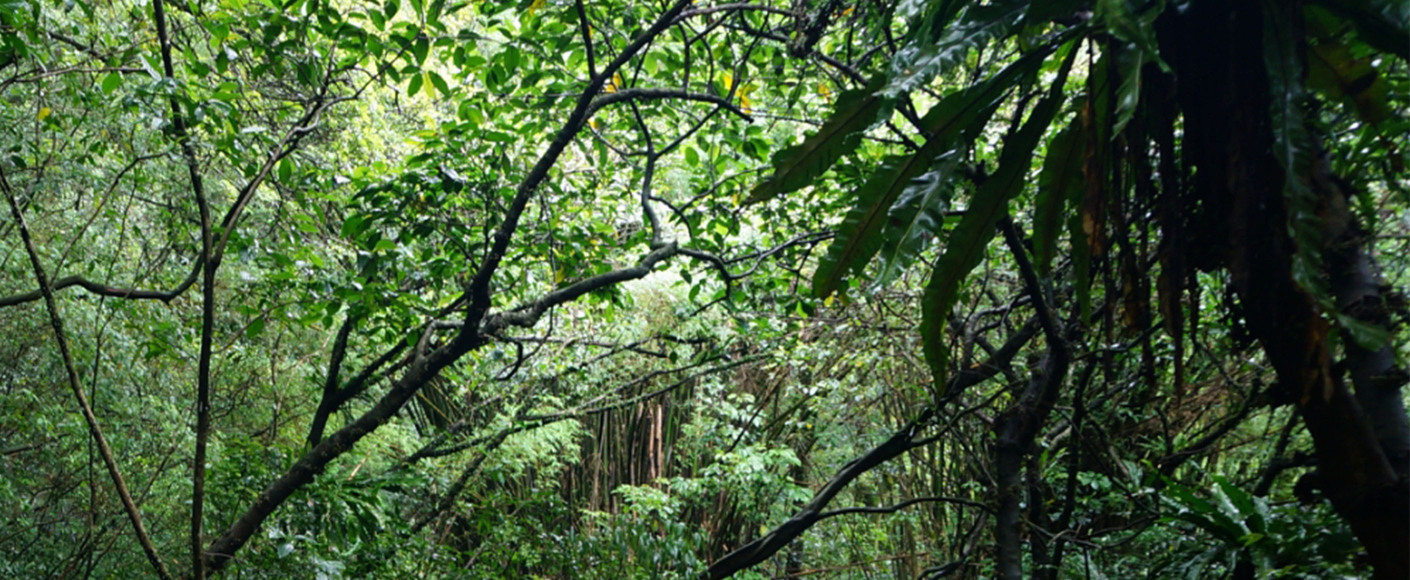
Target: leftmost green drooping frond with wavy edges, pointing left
x,y
799,166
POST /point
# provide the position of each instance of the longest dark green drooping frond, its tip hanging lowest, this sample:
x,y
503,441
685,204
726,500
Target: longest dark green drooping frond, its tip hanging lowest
x,y
965,246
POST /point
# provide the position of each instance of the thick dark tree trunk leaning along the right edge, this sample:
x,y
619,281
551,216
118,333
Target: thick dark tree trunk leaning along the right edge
x,y
1216,50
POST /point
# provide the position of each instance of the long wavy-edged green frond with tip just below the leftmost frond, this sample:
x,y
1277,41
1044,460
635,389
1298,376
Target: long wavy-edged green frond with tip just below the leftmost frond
x,y
859,236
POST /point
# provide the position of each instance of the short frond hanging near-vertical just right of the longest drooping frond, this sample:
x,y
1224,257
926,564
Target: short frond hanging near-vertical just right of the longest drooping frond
x,y
1060,181
